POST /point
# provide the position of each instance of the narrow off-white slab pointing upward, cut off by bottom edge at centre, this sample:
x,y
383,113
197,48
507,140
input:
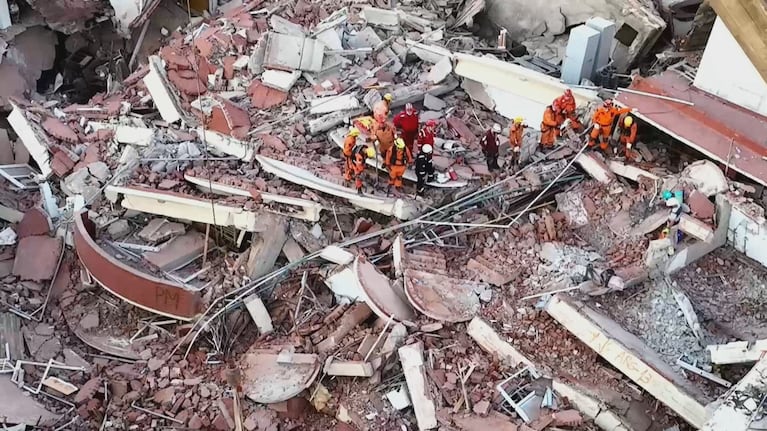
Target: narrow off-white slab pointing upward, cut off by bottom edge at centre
x,y
411,357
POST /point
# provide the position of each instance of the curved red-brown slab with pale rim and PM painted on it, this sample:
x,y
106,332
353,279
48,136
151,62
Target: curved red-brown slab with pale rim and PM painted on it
x,y
133,286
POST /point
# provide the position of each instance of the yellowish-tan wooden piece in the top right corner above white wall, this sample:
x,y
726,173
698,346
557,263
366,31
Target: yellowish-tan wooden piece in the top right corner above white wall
x,y
747,21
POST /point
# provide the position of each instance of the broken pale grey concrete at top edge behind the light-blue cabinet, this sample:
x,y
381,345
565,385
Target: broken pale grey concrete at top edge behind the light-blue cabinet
x,y
526,19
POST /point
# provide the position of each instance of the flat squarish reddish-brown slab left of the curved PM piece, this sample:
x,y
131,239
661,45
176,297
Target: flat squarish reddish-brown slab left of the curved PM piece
x,y
37,258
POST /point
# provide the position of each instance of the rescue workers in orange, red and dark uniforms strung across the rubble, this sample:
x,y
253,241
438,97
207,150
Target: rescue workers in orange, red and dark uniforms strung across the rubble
x,y
399,139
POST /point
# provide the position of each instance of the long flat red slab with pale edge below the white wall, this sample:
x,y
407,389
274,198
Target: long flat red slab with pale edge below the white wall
x,y
721,130
